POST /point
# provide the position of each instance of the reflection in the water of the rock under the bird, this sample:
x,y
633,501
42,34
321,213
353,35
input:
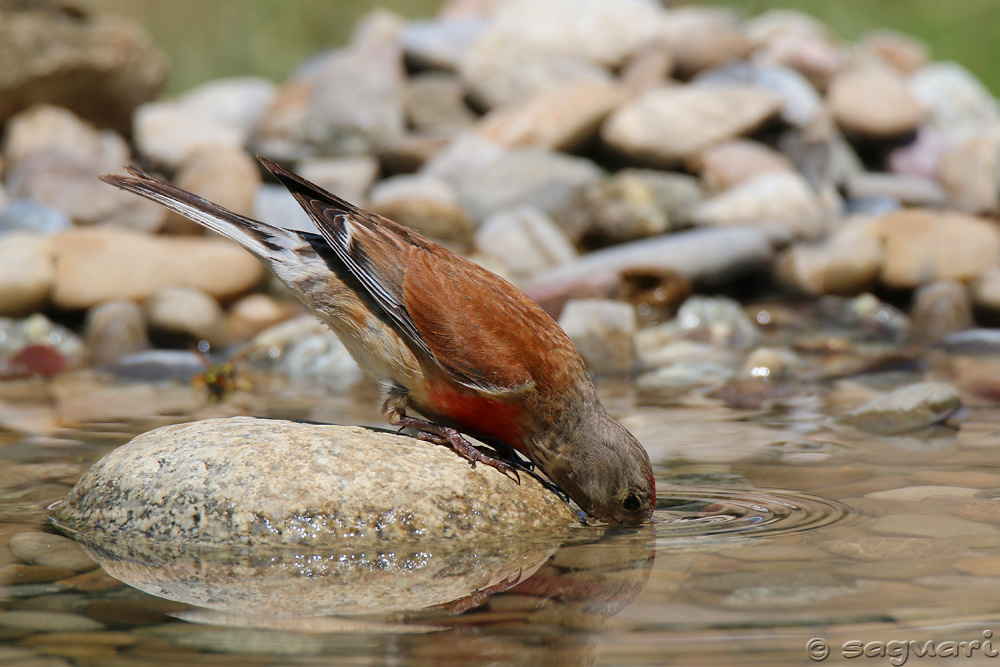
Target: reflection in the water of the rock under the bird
x,y
299,582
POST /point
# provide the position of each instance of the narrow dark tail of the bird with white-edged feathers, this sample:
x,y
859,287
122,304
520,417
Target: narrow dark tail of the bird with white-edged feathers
x,y
261,239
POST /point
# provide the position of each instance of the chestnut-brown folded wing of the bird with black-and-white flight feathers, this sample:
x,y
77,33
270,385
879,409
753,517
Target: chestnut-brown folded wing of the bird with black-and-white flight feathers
x,y
466,329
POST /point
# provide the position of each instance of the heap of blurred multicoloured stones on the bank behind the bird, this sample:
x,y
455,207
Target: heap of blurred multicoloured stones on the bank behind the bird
x,y
609,158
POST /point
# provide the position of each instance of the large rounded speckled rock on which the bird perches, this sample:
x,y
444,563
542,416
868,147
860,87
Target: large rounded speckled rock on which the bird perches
x,y
260,482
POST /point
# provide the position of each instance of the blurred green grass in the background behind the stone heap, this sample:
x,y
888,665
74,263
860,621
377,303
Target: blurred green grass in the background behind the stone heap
x,y
207,39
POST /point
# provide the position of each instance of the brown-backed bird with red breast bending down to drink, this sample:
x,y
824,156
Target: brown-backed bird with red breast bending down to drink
x,y
444,337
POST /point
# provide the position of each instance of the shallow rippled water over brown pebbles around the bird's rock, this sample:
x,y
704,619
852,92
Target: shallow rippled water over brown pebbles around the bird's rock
x,y
774,528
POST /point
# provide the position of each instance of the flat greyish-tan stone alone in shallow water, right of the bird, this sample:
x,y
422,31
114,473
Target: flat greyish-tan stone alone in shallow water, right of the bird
x,y
906,409
